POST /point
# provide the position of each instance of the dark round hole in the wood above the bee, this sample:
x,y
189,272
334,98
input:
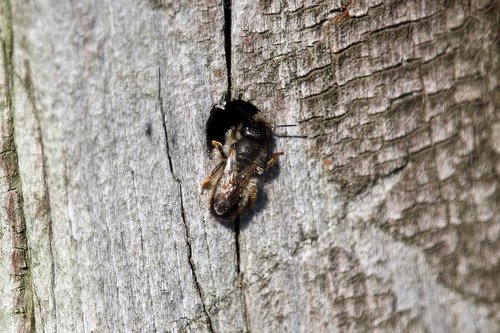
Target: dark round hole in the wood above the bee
x,y
221,120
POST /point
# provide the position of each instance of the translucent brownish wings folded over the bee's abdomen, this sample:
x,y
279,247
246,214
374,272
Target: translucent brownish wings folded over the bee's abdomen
x,y
231,184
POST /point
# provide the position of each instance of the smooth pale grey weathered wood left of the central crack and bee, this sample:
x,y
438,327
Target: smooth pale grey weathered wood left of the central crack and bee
x,y
111,101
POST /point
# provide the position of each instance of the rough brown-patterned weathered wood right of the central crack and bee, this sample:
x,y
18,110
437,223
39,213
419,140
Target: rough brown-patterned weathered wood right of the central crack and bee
x,y
386,218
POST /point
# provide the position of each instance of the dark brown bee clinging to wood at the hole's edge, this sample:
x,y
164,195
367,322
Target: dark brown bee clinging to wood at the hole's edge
x,y
243,157
